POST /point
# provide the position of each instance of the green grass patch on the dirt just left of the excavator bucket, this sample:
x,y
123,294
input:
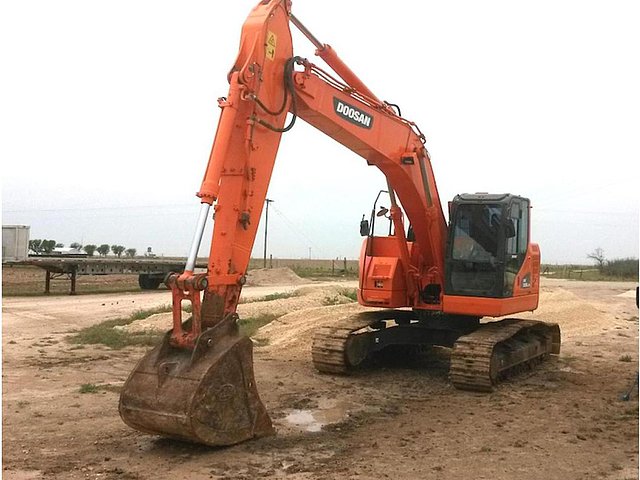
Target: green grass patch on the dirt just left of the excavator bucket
x,y
104,333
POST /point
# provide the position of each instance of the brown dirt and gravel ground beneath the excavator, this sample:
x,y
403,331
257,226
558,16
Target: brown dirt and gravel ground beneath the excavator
x,y
394,420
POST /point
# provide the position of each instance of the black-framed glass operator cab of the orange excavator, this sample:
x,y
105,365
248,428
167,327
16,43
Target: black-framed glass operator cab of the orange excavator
x,y
487,244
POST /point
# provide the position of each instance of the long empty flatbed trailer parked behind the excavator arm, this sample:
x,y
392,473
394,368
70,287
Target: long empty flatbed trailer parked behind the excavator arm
x,y
151,271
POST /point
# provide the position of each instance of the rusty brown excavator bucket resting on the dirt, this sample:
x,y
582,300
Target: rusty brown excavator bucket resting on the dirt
x,y
205,395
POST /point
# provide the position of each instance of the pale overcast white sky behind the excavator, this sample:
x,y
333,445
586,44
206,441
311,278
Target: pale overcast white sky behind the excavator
x,y
108,111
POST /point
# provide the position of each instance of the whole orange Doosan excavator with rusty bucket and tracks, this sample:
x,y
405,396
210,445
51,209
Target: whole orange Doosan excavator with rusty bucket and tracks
x,y
431,282
